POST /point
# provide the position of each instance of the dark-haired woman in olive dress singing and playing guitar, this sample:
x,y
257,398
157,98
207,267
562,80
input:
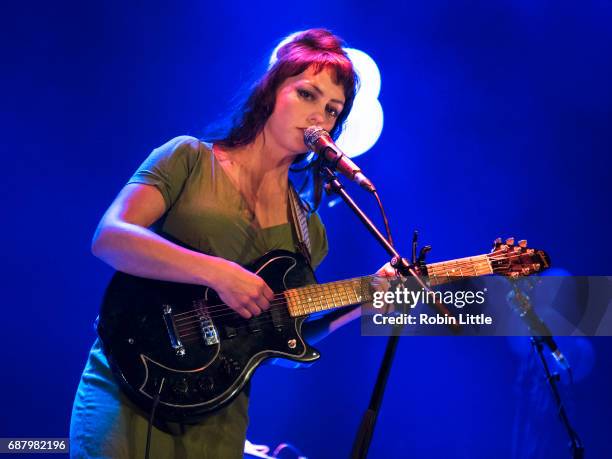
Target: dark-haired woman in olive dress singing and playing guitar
x,y
229,201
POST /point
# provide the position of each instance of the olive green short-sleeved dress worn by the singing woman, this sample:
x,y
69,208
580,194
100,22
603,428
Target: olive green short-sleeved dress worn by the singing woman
x,y
204,211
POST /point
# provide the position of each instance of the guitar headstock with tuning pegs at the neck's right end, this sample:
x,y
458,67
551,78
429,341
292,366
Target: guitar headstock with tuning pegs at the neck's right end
x,y
514,260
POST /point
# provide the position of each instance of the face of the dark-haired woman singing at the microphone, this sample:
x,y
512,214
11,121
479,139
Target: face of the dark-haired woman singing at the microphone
x,y
304,100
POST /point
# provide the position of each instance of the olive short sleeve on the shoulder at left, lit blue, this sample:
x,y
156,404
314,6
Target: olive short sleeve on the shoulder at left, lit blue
x,y
168,167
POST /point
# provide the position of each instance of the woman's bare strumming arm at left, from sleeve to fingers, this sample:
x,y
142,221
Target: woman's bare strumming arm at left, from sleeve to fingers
x,y
124,241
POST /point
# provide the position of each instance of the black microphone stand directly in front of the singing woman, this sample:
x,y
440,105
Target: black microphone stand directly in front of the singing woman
x,y
363,437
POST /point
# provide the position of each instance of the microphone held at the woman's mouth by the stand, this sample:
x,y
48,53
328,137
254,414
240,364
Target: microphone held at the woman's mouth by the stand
x,y
318,140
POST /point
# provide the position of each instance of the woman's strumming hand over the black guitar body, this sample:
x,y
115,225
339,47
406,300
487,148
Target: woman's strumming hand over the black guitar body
x,y
243,291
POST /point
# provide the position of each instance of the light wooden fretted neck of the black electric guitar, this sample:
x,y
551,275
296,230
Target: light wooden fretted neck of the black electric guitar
x,y
314,298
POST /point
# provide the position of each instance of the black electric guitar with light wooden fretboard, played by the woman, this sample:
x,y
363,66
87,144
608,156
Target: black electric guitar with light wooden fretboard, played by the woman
x,y
180,342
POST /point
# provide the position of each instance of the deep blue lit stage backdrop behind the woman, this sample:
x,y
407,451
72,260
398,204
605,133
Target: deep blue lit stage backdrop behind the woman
x,y
498,122
